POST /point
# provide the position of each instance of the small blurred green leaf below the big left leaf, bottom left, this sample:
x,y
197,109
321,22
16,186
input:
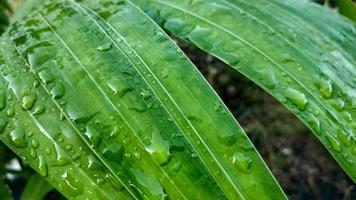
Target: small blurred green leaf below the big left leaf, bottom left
x,y
36,188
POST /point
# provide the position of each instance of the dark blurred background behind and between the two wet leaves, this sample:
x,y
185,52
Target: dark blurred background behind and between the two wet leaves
x,y
300,163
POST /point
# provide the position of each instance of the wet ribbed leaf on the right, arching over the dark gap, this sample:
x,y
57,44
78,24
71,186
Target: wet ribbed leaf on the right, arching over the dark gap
x,y
302,54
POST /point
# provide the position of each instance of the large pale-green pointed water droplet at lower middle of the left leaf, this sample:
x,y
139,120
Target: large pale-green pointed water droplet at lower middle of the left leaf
x,y
159,148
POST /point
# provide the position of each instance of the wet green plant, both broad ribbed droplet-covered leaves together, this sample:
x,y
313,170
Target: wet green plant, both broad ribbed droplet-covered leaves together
x,y
104,105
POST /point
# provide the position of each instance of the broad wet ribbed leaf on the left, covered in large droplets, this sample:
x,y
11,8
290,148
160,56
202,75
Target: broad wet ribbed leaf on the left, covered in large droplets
x,y
105,106
